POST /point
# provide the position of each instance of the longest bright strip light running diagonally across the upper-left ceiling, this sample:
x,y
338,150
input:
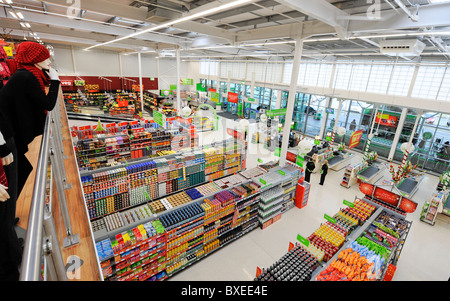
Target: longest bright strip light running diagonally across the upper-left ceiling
x,y
173,22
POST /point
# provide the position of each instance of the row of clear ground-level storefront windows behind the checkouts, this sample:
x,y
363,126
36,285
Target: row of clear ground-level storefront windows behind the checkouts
x,y
431,141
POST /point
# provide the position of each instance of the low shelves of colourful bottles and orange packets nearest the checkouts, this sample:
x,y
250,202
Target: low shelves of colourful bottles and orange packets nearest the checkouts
x,y
359,243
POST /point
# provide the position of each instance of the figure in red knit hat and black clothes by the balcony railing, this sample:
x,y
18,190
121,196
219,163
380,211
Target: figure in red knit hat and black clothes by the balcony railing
x,y
24,103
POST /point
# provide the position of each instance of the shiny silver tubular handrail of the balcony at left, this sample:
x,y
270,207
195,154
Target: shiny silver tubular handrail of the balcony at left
x,y
32,253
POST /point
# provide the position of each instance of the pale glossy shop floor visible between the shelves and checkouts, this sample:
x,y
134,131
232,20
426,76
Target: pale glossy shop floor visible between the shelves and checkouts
x,y
422,258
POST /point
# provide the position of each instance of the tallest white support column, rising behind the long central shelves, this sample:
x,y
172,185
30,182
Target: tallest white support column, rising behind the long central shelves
x,y
291,99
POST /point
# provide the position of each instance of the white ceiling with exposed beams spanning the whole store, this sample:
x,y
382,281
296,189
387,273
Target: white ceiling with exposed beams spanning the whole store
x,y
88,23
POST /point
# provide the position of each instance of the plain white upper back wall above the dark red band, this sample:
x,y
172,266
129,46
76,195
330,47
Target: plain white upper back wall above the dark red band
x,y
75,61
